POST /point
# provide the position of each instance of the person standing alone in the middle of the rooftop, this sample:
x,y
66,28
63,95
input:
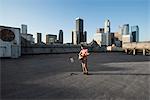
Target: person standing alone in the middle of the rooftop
x,y
83,57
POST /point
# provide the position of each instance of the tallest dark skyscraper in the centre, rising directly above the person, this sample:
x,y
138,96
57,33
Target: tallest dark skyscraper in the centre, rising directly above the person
x,y
79,30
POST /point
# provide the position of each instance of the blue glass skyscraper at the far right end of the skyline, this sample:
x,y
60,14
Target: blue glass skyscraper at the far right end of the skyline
x,y
135,33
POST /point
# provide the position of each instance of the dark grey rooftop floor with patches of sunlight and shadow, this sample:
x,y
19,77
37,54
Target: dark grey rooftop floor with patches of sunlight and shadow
x,y
112,76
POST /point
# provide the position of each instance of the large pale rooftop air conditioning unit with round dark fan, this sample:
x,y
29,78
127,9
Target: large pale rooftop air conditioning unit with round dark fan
x,y
10,42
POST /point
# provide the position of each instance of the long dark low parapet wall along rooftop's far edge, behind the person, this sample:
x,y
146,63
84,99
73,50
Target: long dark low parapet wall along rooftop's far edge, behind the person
x,y
56,49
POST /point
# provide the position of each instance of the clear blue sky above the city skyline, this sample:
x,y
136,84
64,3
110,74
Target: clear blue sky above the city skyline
x,y
49,16
